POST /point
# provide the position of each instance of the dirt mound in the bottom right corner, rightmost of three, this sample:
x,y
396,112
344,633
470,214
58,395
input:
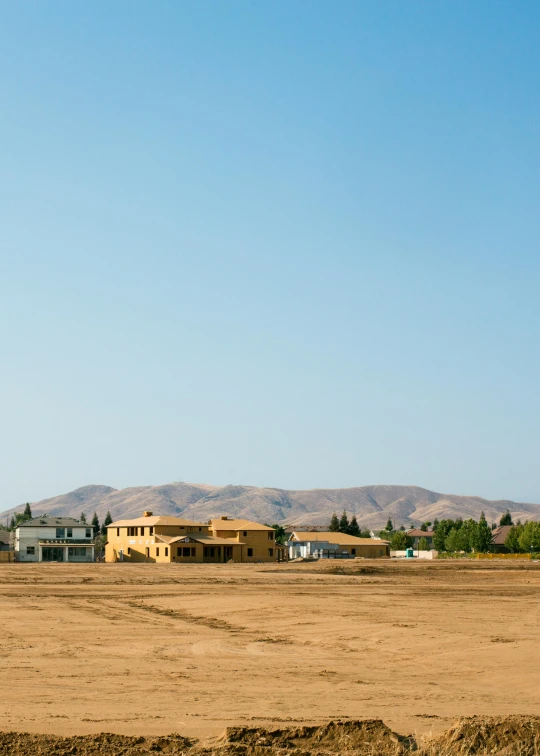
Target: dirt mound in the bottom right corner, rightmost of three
x,y
496,736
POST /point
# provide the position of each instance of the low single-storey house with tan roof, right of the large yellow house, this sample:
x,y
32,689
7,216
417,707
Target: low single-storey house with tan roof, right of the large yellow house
x,y
333,545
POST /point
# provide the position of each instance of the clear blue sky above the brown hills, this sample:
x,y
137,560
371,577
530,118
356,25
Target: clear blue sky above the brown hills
x,y
278,243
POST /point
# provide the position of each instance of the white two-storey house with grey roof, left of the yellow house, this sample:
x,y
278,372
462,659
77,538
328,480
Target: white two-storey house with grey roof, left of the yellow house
x,y
54,539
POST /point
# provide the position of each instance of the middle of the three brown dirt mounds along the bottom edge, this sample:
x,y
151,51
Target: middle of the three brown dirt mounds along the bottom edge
x,y
362,738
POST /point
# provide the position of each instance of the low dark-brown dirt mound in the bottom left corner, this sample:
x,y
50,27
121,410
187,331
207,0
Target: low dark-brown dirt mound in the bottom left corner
x,y
24,744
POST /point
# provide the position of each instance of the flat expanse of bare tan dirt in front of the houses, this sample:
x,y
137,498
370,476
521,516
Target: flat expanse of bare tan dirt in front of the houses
x,y
155,649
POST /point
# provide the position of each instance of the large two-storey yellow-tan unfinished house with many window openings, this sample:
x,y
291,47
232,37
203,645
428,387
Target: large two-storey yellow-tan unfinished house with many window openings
x,y
172,539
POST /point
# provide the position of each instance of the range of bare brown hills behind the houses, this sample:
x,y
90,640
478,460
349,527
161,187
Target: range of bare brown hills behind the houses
x,y
372,505
